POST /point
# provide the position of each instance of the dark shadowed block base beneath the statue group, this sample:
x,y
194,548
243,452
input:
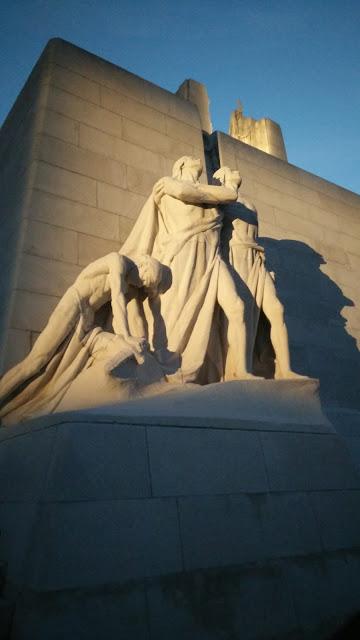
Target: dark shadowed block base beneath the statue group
x,y
140,526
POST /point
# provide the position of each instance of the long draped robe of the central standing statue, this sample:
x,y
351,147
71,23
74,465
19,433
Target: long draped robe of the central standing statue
x,y
180,321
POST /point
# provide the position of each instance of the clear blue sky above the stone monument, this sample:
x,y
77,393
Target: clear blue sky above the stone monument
x,y
295,61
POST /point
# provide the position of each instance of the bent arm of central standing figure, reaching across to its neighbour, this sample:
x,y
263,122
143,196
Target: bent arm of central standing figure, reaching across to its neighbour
x,y
193,193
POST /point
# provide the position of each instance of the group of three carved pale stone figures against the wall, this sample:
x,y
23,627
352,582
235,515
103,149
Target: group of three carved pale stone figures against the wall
x,y
180,303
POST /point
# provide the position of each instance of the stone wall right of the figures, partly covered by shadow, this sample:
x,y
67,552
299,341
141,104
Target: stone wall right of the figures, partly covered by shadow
x,y
310,229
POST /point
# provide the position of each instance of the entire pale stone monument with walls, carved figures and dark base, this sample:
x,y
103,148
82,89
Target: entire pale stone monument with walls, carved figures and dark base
x,y
164,470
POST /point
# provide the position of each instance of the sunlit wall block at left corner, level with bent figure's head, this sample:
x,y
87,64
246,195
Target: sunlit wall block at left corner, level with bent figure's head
x,y
49,277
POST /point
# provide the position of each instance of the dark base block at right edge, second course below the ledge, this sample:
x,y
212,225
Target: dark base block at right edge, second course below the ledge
x,y
338,515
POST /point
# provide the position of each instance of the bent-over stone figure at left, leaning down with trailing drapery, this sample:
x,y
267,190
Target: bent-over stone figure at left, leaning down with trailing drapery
x,y
73,339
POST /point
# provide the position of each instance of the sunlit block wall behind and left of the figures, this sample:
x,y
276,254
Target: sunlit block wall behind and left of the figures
x,y
100,139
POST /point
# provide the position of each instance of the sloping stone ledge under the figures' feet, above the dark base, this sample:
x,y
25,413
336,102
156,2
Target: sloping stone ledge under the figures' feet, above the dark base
x,y
250,405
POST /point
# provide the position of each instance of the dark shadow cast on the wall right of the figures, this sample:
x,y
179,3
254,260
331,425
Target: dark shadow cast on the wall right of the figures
x,y
320,344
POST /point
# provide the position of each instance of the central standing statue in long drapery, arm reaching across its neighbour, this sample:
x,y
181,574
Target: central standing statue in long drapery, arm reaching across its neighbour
x,y
180,225
